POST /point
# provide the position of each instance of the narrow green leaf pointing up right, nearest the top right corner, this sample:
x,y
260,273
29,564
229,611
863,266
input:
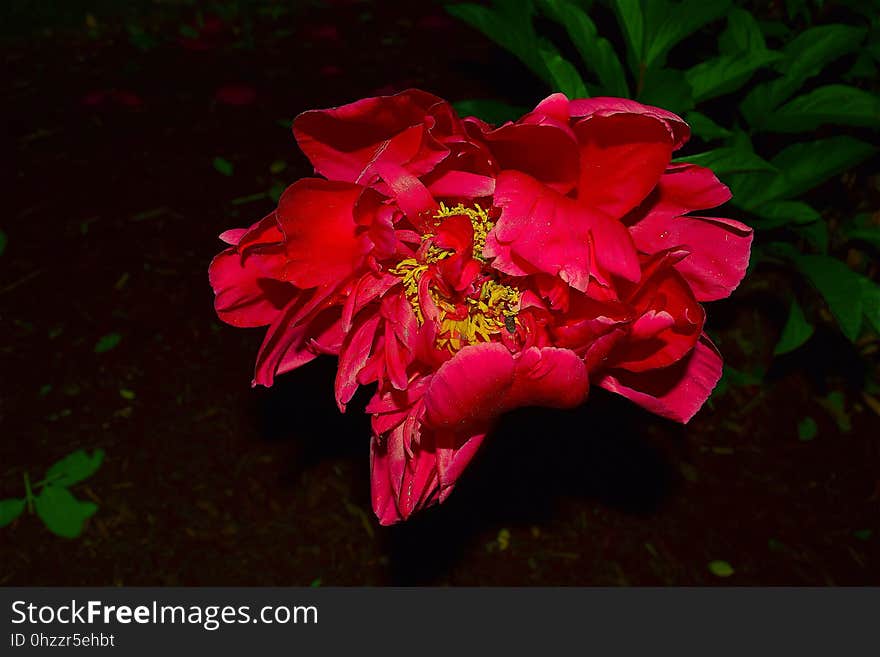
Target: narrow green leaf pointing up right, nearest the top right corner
x,y
803,57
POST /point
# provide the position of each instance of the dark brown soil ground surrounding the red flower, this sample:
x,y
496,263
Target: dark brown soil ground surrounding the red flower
x,y
112,210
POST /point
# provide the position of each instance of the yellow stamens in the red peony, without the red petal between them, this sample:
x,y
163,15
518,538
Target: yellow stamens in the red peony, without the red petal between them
x,y
480,316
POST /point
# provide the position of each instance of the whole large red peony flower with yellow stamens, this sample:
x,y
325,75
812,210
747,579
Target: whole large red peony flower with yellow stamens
x,y
466,270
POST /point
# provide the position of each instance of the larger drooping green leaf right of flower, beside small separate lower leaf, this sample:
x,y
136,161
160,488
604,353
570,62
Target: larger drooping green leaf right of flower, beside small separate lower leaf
x,y
839,286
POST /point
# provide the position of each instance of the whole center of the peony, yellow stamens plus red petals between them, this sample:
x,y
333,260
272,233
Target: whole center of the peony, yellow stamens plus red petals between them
x,y
470,302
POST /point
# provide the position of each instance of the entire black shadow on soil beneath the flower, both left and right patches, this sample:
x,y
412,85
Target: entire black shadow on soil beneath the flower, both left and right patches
x,y
606,450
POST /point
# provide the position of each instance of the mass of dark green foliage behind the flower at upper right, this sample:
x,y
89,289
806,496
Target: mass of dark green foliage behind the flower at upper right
x,y
784,98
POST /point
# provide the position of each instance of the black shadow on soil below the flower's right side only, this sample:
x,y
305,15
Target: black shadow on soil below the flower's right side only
x,y
534,459
